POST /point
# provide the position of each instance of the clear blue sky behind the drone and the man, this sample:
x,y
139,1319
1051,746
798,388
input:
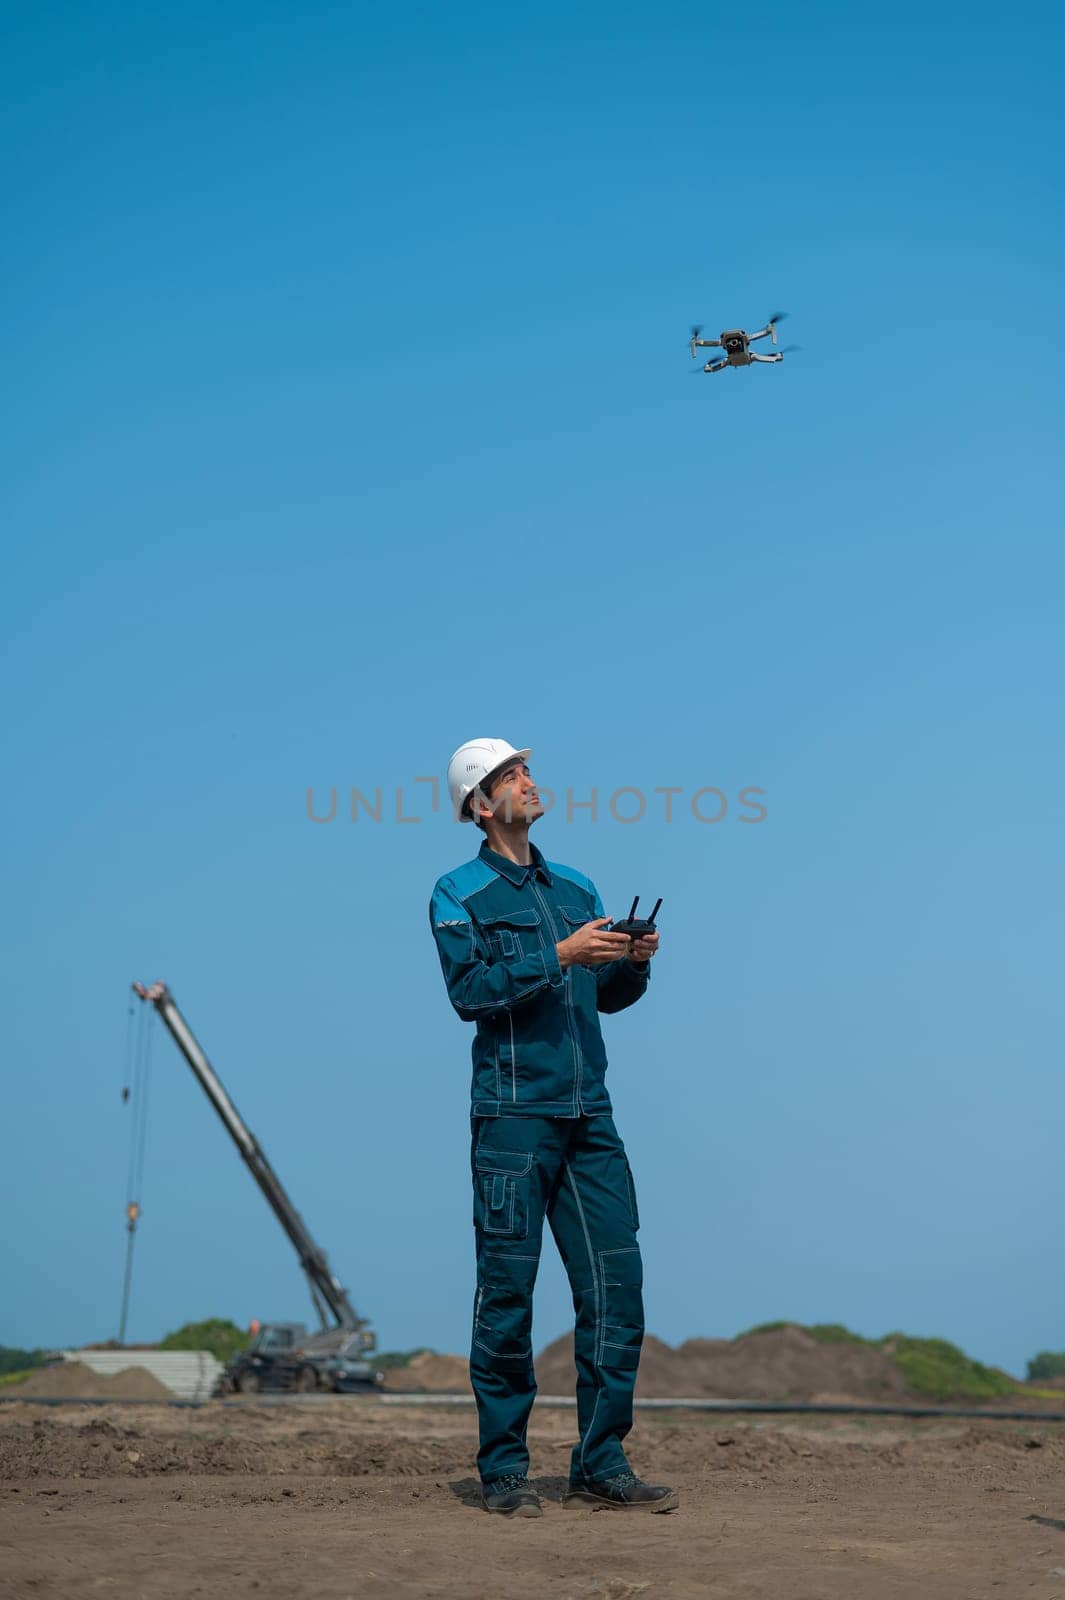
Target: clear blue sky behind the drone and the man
x,y
351,417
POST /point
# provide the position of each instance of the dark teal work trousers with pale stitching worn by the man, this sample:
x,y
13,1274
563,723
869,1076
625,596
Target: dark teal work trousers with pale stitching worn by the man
x,y
573,1172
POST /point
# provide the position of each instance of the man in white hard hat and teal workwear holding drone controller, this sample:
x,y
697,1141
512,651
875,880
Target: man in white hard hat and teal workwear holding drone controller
x,y
529,958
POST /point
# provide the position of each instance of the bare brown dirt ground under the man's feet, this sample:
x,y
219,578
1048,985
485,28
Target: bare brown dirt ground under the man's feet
x,y
348,1497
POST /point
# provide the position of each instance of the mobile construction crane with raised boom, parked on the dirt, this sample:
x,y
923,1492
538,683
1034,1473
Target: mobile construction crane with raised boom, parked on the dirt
x,y
282,1356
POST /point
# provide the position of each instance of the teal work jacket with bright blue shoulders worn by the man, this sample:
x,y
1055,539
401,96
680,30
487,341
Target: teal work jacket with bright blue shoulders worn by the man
x,y
538,1050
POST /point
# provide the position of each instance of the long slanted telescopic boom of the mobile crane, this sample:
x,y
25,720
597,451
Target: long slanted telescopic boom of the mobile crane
x,y
327,1294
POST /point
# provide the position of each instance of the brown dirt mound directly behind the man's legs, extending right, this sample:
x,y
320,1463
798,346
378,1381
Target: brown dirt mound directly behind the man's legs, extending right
x,y
783,1364
